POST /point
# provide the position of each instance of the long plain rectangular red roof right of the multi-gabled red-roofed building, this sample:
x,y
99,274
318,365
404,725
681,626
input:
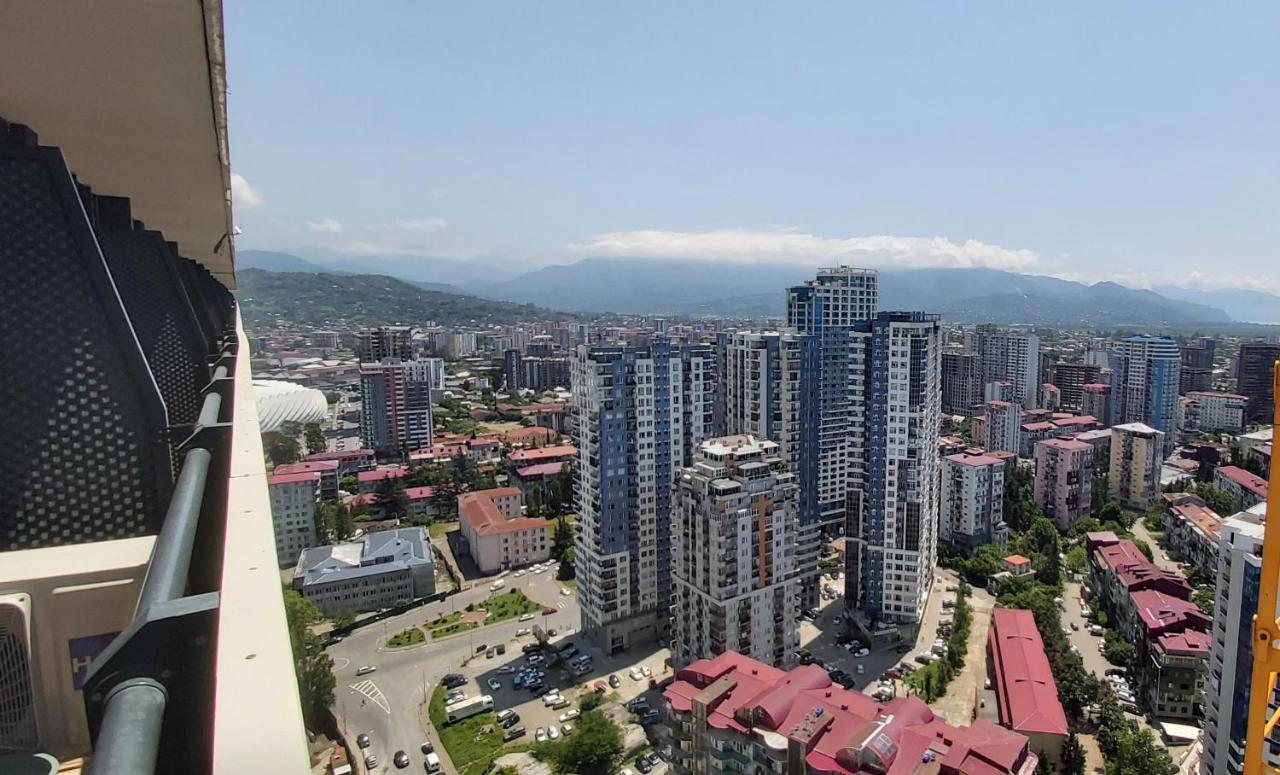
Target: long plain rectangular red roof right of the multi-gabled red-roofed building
x,y
1025,682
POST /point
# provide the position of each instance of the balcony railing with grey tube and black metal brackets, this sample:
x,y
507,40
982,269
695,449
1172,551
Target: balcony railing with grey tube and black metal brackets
x,y
149,696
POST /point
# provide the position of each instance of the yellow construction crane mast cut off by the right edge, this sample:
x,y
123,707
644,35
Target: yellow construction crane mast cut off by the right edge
x,y
1267,626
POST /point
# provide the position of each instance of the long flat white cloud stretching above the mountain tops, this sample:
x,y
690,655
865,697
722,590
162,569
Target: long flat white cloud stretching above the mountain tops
x,y
788,245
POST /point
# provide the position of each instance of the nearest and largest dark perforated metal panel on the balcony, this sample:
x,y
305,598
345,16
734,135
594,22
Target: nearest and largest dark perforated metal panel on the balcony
x,y
85,454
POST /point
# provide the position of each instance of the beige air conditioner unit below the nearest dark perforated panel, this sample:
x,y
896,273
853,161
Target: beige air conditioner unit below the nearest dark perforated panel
x,y
60,609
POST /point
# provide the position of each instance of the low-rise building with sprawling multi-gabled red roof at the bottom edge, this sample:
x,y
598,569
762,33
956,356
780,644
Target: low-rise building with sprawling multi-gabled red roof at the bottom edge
x,y
735,714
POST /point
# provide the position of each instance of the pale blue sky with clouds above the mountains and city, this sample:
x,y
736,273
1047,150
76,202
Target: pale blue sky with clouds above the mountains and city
x,y
1096,142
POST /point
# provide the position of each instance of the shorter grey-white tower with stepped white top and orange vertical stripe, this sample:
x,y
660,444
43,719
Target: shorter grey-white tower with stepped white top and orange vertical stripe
x,y
734,532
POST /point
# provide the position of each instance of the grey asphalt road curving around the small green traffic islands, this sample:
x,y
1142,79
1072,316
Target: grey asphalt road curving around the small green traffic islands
x,y
386,704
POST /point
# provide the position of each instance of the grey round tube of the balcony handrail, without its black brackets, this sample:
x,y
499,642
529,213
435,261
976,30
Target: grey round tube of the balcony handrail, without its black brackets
x,y
129,740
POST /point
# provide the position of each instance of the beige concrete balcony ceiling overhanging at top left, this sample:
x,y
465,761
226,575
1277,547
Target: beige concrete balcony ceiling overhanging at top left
x,y
135,94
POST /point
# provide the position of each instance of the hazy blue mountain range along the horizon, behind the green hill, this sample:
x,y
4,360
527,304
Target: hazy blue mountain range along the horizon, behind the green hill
x,y
676,288
